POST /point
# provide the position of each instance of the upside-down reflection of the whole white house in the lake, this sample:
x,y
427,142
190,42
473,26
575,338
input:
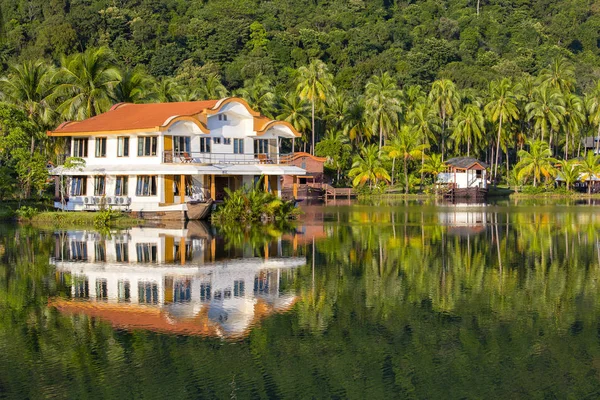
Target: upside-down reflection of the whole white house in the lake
x,y
174,281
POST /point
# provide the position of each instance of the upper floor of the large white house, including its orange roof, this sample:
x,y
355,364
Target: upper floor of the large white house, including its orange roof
x,y
225,131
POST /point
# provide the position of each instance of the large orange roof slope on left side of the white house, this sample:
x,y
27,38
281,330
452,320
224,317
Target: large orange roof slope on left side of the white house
x,y
126,116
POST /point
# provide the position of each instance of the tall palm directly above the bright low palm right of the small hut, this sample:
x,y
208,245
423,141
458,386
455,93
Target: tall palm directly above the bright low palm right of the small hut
x,y
546,110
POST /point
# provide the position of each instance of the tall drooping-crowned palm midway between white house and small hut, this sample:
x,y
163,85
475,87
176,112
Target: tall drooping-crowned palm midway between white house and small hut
x,y
383,104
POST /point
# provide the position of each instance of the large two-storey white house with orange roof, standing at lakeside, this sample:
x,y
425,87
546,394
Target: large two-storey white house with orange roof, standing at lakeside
x,y
159,157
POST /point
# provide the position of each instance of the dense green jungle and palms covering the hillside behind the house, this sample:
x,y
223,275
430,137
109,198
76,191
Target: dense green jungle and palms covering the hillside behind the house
x,y
488,78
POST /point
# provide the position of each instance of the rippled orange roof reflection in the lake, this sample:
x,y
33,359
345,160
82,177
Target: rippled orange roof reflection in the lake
x,y
129,316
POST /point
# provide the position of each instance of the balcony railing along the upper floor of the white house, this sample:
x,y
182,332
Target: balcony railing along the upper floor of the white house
x,y
224,158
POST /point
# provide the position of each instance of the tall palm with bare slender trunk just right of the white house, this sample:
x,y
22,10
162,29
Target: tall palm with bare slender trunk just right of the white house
x,y
314,84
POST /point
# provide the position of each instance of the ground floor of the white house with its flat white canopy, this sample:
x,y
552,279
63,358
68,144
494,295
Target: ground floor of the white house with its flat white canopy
x,y
161,188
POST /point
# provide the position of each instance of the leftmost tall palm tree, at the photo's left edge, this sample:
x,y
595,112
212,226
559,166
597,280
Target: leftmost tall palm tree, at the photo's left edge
x,y
29,86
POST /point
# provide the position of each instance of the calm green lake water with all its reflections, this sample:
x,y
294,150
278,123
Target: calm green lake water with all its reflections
x,y
358,301
